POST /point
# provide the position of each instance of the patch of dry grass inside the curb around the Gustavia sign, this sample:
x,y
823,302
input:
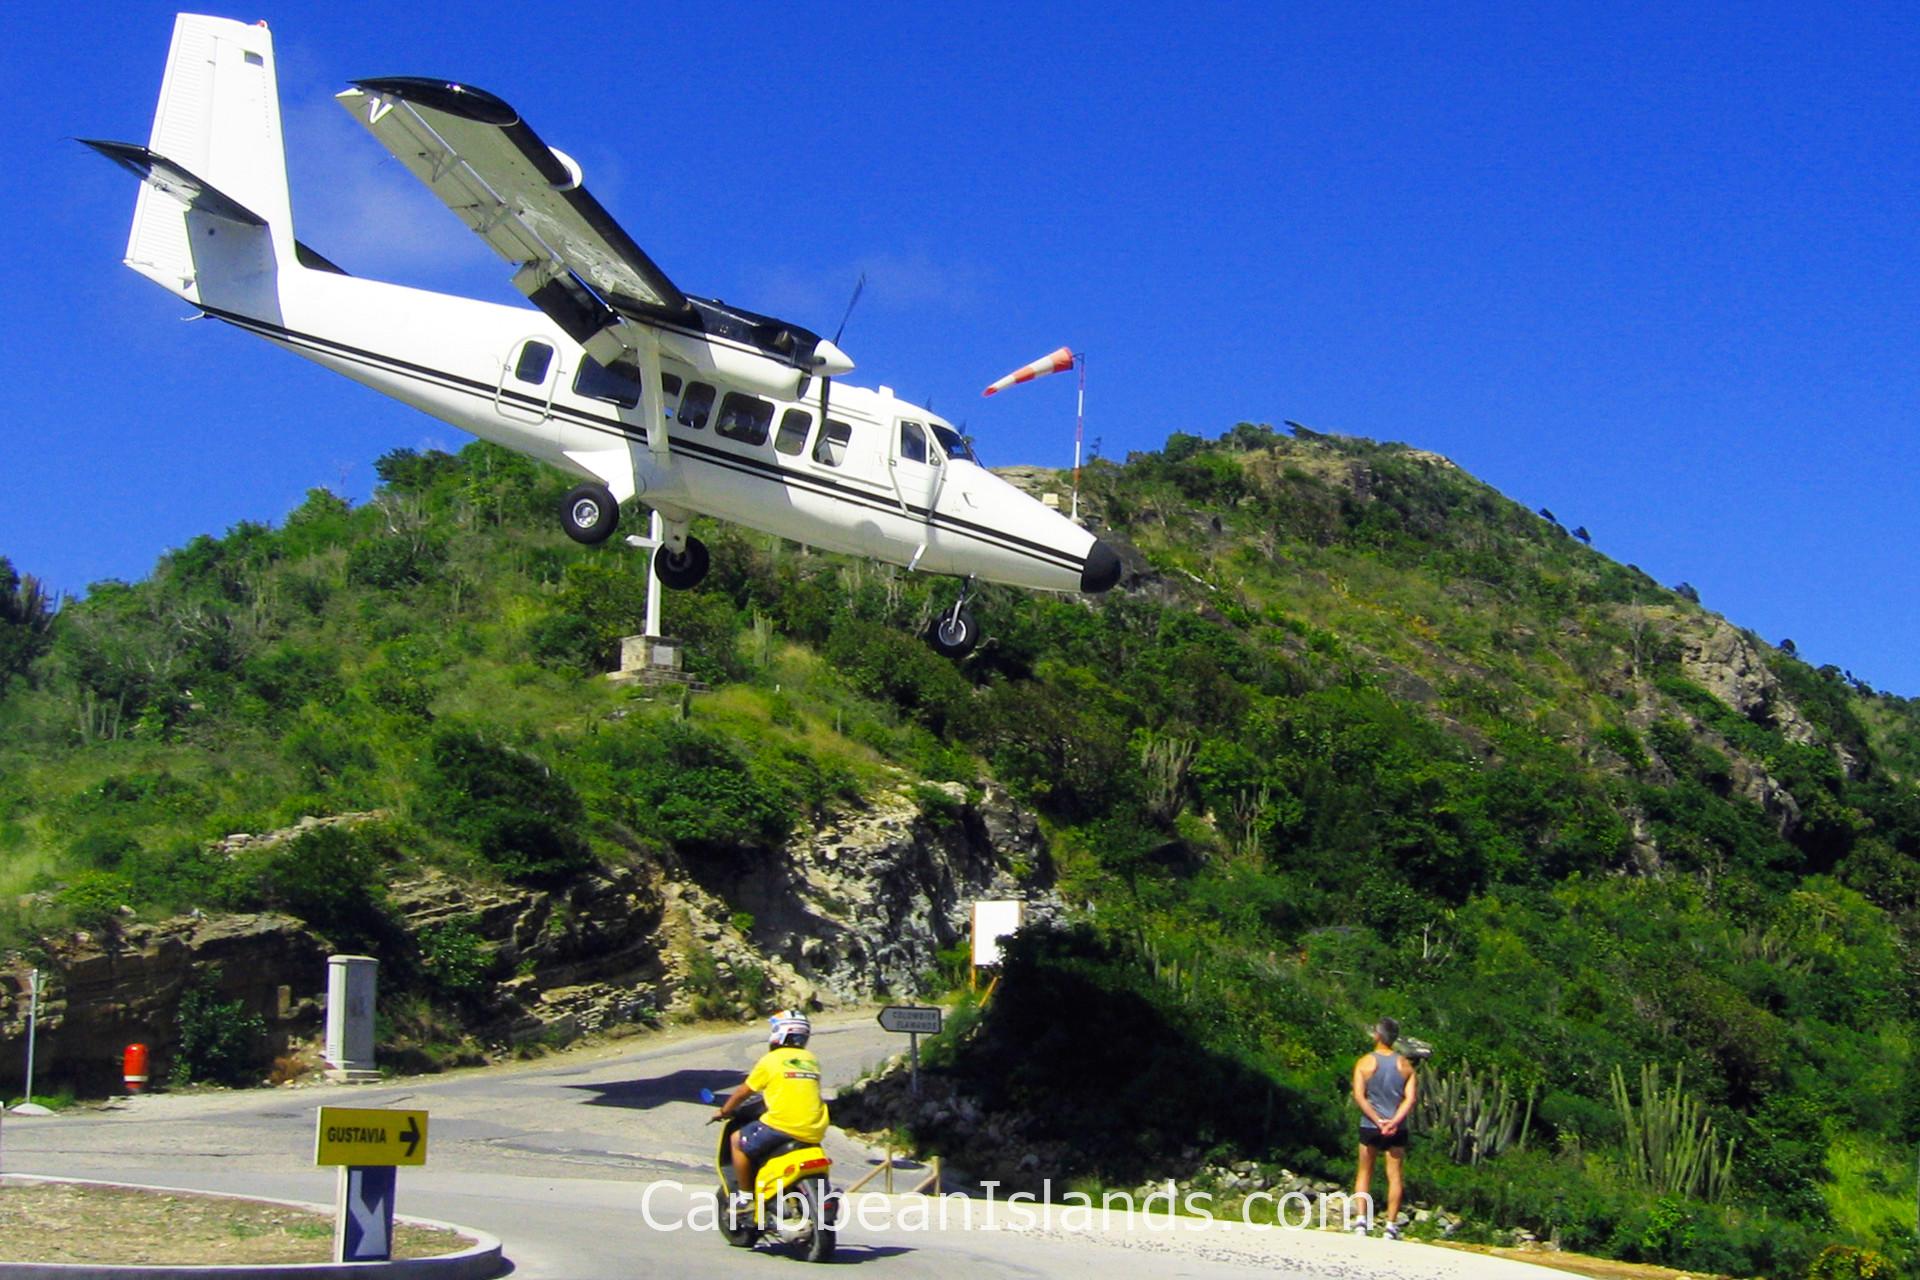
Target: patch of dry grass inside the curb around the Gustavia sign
x,y
128,1225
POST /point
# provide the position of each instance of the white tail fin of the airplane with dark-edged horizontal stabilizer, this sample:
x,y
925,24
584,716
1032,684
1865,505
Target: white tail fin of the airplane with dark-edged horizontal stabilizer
x,y
214,222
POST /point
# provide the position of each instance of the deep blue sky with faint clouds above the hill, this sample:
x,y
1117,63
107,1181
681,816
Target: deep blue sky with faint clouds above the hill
x,y
1652,268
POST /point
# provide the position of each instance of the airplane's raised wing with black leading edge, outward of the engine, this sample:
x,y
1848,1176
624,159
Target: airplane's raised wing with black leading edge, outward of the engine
x,y
523,199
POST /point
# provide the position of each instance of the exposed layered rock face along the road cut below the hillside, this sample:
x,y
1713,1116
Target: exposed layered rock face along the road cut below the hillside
x,y
848,911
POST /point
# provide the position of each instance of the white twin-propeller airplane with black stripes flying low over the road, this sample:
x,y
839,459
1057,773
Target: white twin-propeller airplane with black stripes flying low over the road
x,y
642,391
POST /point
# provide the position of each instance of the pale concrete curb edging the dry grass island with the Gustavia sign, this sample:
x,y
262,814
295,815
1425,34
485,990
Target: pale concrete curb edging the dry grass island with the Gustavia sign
x,y
483,1262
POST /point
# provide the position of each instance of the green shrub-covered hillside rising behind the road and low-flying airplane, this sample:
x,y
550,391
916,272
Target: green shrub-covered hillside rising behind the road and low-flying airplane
x,y
1356,736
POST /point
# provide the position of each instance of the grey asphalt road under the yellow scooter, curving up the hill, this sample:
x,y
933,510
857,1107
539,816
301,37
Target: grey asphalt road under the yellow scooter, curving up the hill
x,y
588,1166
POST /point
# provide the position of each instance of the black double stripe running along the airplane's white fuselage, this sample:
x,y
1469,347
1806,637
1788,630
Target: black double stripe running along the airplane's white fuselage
x,y
615,427
